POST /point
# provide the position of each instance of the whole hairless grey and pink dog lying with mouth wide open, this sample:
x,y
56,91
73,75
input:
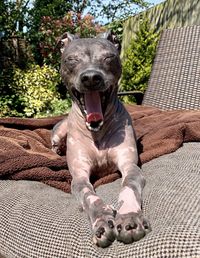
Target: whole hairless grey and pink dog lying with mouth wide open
x,y
100,136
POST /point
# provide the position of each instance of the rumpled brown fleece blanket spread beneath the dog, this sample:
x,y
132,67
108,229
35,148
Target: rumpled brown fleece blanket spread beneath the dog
x,y
25,152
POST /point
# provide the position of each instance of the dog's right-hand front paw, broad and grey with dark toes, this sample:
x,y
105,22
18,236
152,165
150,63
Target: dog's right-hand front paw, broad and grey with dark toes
x,y
131,227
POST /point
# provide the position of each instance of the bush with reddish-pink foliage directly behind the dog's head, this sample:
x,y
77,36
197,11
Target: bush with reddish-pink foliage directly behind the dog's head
x,y
51,30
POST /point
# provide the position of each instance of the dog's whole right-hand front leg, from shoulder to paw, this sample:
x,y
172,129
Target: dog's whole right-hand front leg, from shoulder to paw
x,y
130,223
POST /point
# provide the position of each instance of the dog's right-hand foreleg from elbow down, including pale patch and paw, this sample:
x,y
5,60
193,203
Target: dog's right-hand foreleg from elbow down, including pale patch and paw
x,y
130,223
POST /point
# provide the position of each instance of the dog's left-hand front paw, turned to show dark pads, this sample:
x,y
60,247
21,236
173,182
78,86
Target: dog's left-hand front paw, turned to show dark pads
x,y
104,232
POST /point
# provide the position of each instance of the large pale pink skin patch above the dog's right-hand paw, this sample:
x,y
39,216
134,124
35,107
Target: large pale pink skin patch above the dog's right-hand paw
x,y
129,202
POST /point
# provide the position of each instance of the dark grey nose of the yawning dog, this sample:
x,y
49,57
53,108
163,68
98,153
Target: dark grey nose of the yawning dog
x,y
91,79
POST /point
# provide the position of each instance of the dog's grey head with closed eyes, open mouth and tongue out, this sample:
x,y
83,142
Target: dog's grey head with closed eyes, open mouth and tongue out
x,y
90,69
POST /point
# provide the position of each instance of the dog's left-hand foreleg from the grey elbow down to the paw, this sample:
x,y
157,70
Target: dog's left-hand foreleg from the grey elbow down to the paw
x,y
101,215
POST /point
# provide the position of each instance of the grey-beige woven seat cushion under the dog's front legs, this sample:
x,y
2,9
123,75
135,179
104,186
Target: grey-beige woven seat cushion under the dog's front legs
x,y
37,220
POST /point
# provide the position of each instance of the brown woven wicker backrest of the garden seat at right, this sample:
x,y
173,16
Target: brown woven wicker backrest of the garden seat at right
x,y
174,80
